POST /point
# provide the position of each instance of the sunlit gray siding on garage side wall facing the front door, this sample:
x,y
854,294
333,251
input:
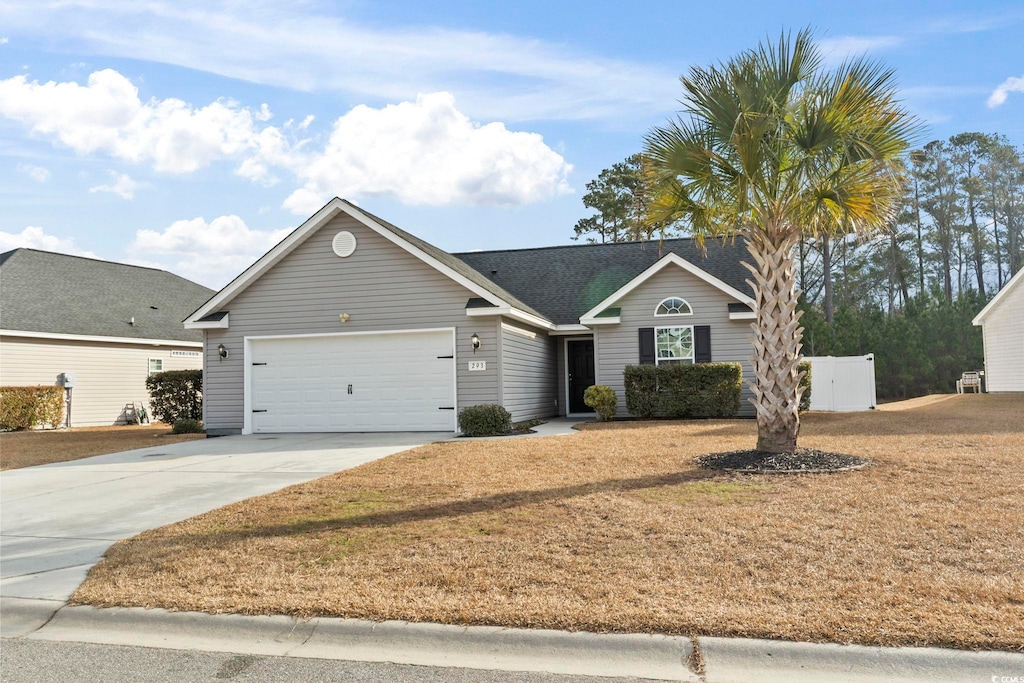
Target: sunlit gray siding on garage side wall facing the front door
x,y
529,372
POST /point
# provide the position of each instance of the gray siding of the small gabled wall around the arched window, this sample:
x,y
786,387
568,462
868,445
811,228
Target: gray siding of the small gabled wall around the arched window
x,y
618,346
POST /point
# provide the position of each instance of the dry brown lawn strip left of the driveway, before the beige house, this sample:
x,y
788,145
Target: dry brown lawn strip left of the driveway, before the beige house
x,y
39,448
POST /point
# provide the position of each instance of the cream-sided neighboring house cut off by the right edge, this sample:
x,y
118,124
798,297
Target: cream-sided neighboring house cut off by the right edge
x,y
1003,330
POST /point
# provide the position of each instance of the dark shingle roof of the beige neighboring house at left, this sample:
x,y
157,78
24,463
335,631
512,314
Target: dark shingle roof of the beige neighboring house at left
x,y
60,294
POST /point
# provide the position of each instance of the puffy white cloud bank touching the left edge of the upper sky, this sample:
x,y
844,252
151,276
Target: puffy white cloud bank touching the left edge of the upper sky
x,y
107,115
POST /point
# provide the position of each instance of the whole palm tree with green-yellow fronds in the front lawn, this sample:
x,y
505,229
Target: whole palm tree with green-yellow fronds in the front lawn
x,y
771,147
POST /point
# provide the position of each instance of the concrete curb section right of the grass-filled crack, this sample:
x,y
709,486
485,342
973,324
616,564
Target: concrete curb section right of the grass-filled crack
x,y
741,661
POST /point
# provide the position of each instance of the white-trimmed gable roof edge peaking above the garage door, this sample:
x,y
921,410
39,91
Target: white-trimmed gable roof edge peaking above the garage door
x,y
439,260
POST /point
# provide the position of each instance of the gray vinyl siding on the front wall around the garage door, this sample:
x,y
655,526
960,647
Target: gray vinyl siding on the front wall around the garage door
x,y
381,287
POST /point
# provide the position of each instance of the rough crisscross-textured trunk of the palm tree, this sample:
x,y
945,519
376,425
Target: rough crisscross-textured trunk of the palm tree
x,y
777,341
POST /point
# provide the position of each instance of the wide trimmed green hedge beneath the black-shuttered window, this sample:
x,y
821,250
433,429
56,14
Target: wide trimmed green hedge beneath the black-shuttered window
x,y
678,391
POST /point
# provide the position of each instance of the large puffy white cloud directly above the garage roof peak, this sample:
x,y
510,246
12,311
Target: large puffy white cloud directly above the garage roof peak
x,y
428,152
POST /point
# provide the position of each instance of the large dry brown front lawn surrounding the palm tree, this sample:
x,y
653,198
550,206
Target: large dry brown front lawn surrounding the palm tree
x,y
615,530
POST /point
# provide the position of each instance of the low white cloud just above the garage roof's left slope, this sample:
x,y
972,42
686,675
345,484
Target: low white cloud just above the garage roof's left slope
x,y
211,253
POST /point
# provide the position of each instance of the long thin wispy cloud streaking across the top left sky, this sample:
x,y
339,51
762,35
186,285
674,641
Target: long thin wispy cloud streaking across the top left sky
x,y
308,48
